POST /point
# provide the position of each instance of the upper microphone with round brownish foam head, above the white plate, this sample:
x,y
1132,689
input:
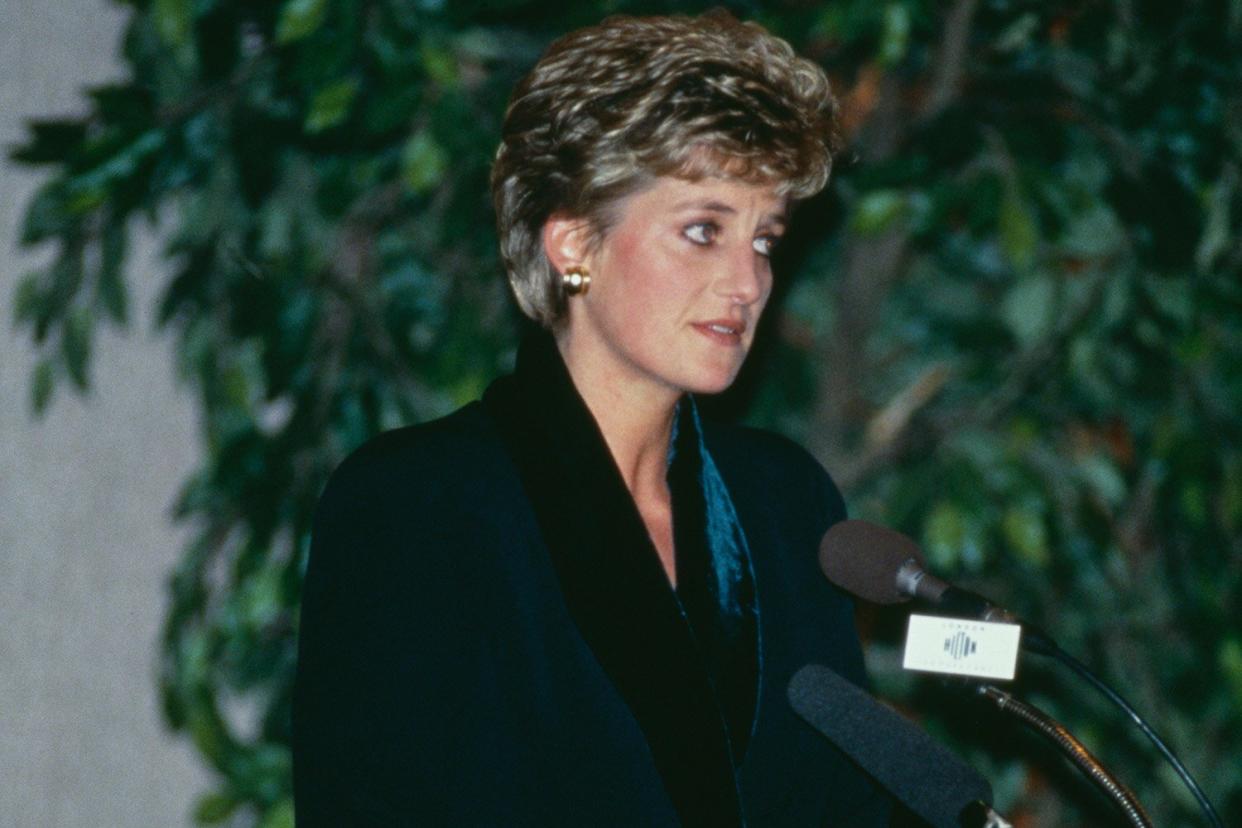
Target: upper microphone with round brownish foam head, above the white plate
x,y
885,567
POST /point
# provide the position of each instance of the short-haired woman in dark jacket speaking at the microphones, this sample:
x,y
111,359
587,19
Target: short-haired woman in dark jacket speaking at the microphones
x,y
573,603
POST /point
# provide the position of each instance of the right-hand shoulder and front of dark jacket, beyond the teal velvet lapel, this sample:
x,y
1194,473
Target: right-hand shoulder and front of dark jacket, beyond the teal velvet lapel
x,y
792,775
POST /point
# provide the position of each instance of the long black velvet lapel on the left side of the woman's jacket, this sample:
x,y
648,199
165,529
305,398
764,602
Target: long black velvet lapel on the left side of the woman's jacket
x,y
613,583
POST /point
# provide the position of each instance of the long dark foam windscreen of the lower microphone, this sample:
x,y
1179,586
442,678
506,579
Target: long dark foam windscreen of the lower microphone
x,y
922,774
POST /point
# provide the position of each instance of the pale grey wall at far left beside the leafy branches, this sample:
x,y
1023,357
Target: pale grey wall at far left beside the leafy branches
x,y
86,544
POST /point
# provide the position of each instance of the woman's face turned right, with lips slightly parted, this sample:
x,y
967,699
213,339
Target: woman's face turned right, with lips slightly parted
x,y
678,286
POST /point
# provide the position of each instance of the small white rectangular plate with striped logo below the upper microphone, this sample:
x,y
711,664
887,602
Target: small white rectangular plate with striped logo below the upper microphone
x,y
962,647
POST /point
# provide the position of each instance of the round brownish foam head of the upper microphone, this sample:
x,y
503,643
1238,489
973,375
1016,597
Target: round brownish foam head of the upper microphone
x,y
864,559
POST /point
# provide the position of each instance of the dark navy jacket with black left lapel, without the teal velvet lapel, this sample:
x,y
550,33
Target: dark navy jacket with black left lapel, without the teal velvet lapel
x,y
483,646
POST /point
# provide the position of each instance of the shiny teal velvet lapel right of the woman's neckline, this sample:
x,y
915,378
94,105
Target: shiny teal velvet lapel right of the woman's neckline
x,y
715,579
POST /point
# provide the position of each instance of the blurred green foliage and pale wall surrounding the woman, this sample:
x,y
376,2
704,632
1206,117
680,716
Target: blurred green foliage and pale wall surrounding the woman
x,y
242,238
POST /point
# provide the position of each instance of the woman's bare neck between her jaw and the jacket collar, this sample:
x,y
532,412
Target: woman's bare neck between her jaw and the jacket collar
x,y
637,419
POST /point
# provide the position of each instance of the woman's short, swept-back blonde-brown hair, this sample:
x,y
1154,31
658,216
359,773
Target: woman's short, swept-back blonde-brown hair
x,y
609,109
